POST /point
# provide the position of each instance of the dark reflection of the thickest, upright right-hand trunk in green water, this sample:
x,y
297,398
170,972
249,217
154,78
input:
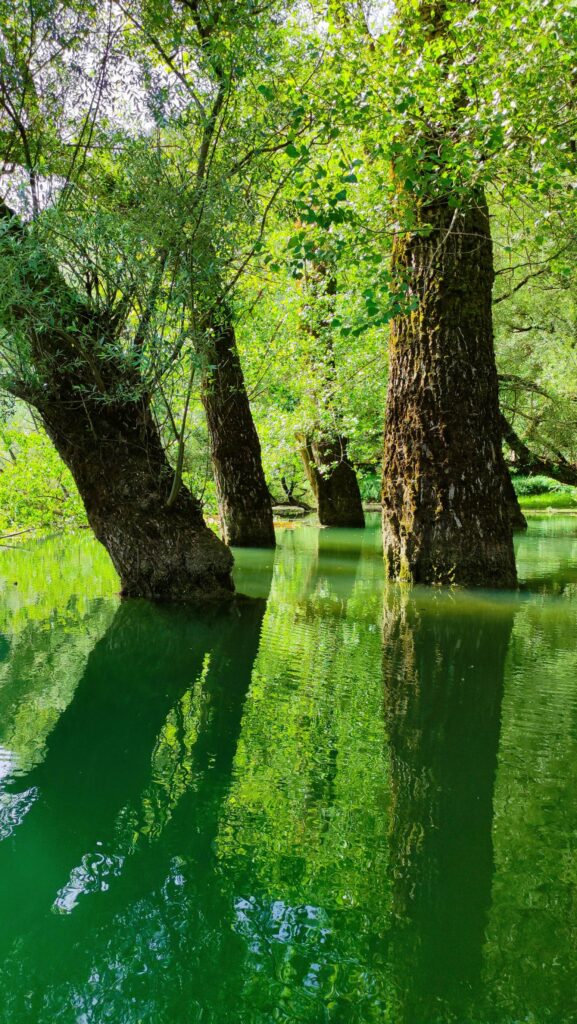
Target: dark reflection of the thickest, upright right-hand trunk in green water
x,y
444,662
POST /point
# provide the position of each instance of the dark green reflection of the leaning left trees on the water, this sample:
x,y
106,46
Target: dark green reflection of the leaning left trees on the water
x,y
100,881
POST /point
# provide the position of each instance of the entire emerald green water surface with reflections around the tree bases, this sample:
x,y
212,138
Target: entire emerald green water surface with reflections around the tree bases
x,y
339,802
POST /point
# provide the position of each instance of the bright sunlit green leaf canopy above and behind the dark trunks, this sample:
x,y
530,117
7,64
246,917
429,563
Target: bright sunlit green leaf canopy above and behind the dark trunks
x,y
170,159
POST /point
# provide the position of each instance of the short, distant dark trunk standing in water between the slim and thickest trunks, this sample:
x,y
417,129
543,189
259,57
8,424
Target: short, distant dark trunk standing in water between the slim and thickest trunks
x,y
334,482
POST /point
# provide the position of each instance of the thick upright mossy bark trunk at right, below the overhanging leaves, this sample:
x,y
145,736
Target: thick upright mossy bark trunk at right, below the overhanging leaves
x,y
446,491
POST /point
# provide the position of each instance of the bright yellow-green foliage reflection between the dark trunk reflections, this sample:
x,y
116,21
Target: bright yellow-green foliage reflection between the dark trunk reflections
x,y
304,840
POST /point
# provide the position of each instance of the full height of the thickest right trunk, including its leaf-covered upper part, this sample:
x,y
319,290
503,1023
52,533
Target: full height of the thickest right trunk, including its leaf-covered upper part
x,y
446,493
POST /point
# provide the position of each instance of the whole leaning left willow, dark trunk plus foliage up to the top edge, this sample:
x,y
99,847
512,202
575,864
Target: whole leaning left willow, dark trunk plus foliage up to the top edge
x,y
85,304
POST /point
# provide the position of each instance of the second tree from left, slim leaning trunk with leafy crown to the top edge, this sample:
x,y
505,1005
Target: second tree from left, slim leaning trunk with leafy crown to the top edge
x,y
230,90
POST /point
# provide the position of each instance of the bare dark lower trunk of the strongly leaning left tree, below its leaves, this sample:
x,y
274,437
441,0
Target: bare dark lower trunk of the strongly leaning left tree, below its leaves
x,y
116,458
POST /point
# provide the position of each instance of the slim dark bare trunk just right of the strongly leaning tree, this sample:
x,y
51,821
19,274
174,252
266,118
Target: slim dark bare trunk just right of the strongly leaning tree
x,y
244,501
